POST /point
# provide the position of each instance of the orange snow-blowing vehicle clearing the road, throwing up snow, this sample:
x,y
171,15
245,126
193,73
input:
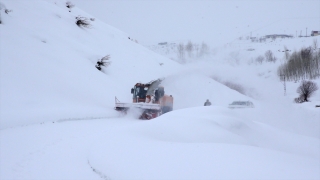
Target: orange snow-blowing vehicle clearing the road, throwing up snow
x,y
150,98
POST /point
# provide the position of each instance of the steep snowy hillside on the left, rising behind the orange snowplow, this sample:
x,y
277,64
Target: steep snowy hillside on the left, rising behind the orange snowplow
x,y
47,62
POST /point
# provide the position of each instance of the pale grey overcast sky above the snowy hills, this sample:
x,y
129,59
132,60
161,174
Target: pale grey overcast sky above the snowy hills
x,y
215,21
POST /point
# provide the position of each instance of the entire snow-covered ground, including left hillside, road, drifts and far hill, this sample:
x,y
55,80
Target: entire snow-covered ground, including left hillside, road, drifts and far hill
x,y
57,119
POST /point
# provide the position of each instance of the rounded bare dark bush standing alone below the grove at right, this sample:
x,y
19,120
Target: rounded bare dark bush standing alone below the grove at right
x,y
306,90
